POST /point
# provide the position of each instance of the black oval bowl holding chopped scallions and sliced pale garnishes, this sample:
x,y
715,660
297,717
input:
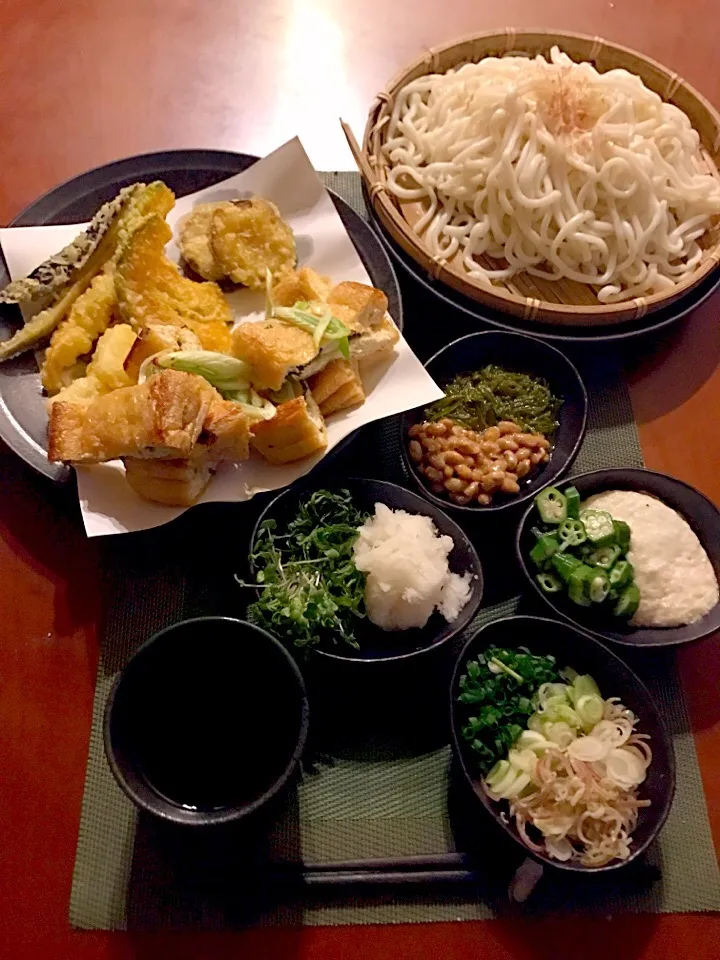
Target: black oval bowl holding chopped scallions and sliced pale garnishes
x,y
572,648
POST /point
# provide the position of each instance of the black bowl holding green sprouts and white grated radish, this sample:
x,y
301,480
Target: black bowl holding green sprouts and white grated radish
x,y
376,645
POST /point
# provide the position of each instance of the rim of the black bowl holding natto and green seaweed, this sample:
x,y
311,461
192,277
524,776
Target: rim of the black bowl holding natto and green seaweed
x,y
522,497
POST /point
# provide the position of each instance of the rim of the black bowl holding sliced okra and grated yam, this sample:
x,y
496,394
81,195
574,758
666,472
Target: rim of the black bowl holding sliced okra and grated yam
x,y
598,635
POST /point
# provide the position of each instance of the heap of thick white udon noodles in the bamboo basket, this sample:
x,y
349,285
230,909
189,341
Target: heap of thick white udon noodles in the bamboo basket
x,y
555,169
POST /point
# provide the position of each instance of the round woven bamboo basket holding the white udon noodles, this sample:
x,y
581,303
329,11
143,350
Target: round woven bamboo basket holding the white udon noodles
x,y
550,301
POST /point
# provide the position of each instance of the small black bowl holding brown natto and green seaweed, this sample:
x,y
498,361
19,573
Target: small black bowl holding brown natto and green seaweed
x,y
525,355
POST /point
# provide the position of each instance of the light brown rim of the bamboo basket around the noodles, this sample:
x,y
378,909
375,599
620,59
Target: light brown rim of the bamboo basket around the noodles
x,y
519,40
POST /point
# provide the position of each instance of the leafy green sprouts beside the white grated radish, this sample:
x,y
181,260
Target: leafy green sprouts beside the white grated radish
x,y
311,589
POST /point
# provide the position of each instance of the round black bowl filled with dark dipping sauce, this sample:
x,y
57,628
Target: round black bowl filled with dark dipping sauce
x,y
206,722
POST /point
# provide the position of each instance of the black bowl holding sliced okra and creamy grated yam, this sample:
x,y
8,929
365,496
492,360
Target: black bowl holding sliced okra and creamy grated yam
x,y
702,515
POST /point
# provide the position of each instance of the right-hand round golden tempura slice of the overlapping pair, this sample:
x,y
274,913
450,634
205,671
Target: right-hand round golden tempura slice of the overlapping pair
x,y
248,238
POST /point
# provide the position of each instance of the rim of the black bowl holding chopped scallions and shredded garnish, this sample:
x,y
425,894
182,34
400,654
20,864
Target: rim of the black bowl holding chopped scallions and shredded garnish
x,y
506,827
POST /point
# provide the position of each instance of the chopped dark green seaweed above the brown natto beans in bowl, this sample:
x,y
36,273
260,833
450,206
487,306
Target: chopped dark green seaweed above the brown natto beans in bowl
x,y
485,397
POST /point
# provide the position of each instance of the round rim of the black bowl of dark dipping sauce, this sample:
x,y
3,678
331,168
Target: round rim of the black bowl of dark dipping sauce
x,y
229,814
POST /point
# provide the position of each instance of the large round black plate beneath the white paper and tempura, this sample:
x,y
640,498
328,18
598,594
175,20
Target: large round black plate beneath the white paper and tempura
x,y
23,418
